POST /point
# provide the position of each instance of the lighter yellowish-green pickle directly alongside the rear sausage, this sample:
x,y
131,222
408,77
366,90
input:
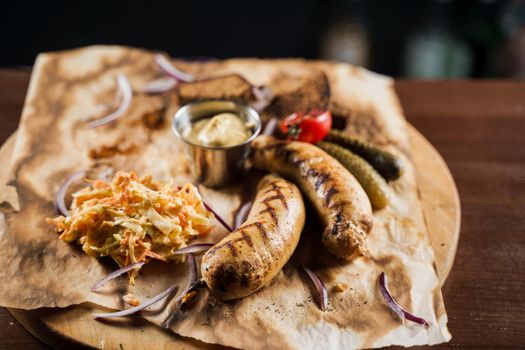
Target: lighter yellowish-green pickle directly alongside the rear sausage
x,y
374,185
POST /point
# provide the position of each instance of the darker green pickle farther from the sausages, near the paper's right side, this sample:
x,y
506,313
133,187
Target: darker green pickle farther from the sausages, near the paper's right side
x,y
388,165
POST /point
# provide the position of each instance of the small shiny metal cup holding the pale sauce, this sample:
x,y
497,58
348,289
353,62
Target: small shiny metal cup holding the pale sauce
x,y
215,166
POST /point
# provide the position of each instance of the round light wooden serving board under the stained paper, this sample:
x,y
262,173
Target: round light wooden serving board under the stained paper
x,y
75,326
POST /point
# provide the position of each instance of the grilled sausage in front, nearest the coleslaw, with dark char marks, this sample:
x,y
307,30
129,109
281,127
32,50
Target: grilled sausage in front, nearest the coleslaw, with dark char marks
x,y
248,258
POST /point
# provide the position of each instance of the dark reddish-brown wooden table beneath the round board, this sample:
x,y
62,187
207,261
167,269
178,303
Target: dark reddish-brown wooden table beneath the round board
x,y
479,128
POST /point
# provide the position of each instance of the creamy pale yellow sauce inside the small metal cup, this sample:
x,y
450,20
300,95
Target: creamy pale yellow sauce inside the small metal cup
x,y
221,130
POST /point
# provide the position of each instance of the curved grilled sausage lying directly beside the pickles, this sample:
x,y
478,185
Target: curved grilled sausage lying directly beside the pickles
x,y
334,192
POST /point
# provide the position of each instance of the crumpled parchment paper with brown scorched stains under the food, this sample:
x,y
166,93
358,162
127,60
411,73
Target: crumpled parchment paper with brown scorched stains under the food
x,y
52,143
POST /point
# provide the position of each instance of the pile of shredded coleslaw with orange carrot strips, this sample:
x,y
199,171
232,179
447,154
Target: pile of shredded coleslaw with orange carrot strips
x,y
134,219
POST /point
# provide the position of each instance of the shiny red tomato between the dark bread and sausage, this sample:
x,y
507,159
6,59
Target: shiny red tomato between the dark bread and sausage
x,y
311,127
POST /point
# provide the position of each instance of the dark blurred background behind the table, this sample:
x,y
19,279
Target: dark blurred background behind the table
x,y
408,38
